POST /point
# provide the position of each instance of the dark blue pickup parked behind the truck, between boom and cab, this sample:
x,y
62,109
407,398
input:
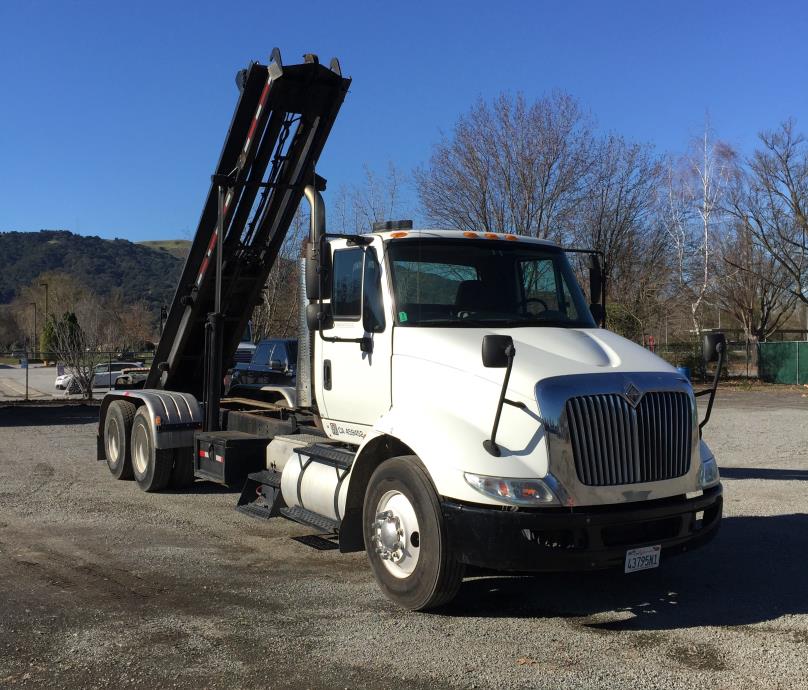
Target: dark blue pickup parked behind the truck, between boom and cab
x,y
274,363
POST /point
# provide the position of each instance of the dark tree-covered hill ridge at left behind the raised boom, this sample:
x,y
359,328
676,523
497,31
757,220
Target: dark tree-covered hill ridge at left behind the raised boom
x,y
138,270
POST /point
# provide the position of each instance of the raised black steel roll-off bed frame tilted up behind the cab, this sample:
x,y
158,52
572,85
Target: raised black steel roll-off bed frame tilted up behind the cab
x,y
282,120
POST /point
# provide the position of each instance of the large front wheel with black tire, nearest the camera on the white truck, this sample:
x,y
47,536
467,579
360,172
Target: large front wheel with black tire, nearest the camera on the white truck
x,y
406,539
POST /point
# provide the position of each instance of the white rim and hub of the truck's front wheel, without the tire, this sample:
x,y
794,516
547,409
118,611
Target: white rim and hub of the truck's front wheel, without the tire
x,y
396,535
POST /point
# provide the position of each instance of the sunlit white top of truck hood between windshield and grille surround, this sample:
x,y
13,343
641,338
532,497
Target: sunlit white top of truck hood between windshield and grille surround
x,y
540,353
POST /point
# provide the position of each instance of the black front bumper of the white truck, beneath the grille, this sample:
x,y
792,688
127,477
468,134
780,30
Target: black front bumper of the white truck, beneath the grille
x,y
570,539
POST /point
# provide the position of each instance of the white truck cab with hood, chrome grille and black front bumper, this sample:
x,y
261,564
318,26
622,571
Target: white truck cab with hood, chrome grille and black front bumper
x,y
598,449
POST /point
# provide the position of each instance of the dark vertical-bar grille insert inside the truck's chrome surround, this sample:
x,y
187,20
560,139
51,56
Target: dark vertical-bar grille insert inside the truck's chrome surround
x,y
614,443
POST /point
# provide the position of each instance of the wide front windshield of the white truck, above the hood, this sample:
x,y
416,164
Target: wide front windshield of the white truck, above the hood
x,y
441,282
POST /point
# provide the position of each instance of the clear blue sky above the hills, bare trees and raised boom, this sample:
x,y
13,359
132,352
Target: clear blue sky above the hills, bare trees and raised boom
x,y
113,114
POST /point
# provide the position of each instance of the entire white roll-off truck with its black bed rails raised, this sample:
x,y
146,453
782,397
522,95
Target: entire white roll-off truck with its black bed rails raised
x,y
457,403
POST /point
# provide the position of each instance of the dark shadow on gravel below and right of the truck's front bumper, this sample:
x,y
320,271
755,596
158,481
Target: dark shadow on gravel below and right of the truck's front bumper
x,y
753,571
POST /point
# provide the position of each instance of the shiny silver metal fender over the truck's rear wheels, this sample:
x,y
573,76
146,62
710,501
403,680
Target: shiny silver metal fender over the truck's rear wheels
x,y
180,415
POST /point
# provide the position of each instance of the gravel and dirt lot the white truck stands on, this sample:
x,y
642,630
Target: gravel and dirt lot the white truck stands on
x,y
102,585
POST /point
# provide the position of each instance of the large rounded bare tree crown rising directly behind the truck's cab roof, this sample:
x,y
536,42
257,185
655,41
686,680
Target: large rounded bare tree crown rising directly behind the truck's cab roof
x,y
510,166
